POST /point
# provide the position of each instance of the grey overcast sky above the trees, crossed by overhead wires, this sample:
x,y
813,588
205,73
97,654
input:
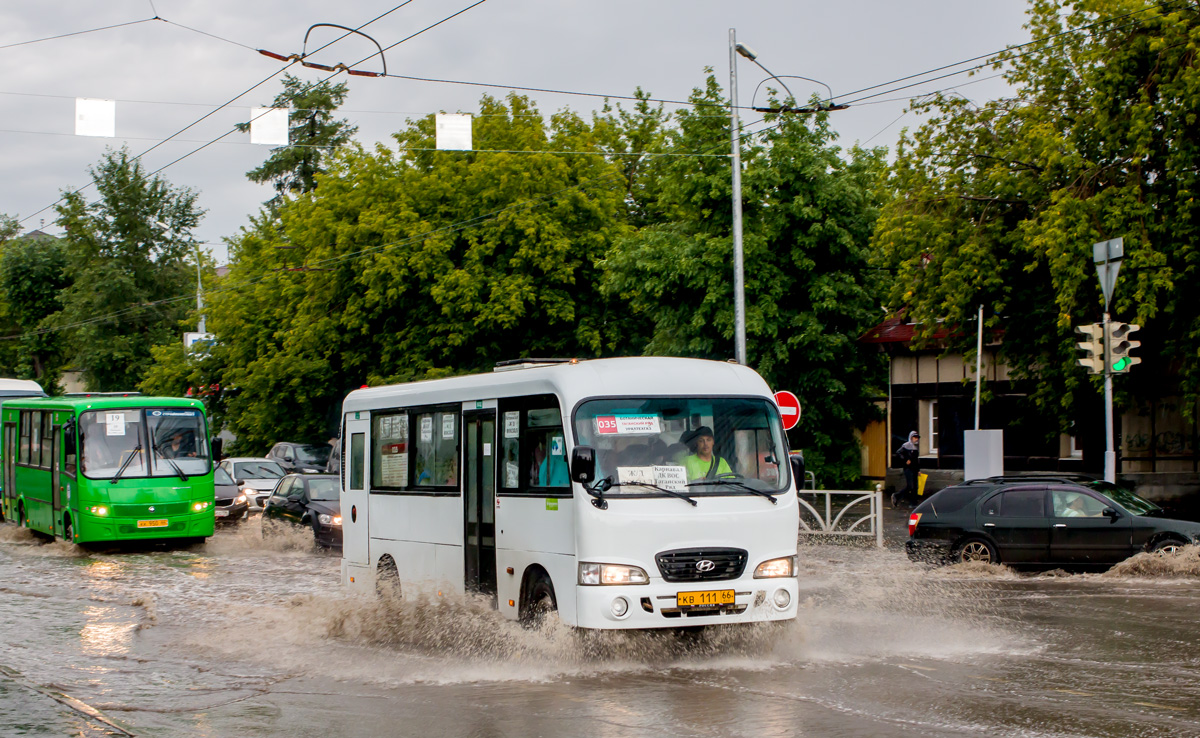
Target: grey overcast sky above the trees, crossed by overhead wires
x,y
165,77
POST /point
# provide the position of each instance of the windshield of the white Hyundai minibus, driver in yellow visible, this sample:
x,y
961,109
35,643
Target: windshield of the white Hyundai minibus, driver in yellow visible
x,y
713,446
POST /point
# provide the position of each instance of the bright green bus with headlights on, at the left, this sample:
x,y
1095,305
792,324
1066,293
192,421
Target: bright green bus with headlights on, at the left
x,y
109,469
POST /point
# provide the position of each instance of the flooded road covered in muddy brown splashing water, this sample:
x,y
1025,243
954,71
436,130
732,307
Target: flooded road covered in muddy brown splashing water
x,y
242,637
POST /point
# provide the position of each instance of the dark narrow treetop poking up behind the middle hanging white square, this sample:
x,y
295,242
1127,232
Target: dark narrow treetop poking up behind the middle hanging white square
x,y
314,134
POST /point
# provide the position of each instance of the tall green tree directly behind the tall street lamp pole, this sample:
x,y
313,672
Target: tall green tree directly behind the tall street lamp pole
x,y
808,218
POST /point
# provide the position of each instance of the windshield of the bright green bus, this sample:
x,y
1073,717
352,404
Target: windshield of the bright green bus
x,y
147,442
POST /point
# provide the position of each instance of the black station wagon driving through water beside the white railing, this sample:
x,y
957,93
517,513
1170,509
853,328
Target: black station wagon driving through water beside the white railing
x,y
1042,521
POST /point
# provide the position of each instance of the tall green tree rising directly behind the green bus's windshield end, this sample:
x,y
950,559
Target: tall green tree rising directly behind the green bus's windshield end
x,y
127,262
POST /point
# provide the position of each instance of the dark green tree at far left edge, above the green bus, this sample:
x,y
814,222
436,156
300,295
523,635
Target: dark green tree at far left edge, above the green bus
x,y
33,278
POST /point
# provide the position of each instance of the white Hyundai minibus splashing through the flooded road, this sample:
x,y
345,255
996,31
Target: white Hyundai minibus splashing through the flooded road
x,y
625,494
